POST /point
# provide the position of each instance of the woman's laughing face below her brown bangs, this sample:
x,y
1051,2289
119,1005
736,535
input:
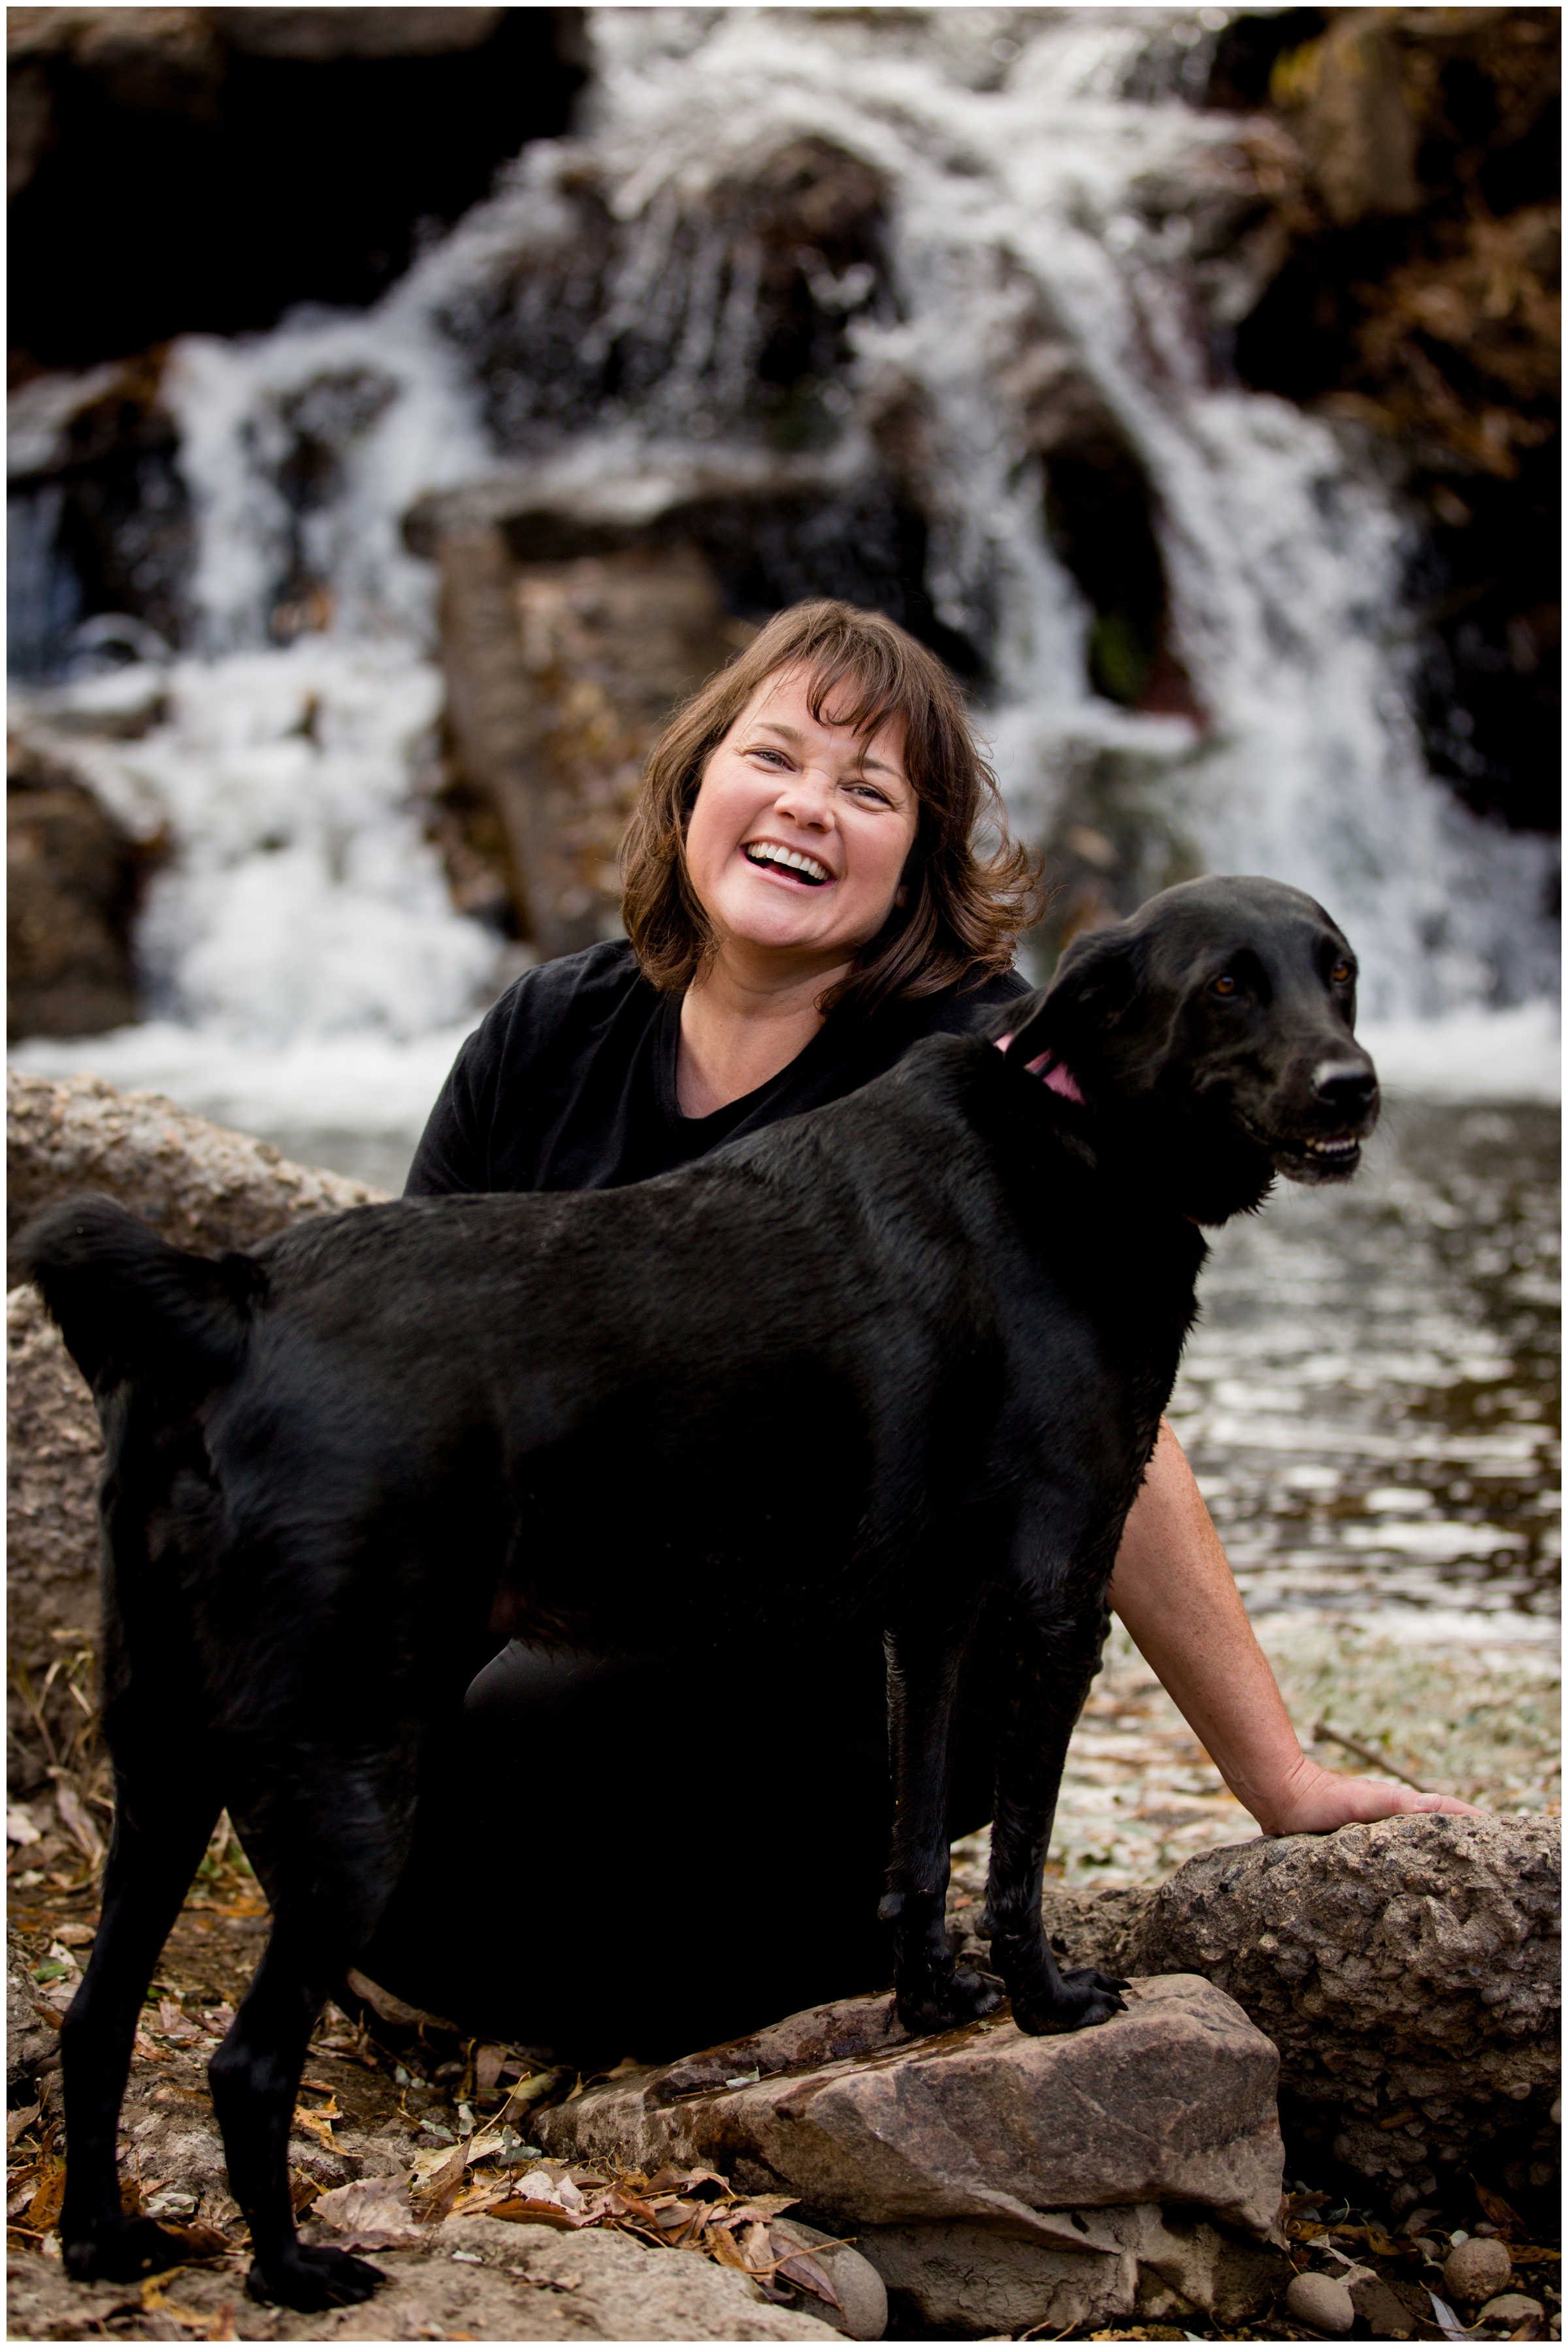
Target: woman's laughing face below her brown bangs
x,y
802,830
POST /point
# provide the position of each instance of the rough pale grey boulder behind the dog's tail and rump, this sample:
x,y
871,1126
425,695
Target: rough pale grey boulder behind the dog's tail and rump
x,y
205,1189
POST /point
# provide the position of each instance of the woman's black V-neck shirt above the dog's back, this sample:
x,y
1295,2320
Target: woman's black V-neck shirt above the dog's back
x,y
572,1079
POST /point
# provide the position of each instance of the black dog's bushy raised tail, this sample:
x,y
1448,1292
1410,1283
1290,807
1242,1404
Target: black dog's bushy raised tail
x,y
130,1307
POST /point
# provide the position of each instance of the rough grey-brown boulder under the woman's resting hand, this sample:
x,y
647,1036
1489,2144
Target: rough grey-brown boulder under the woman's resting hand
x,y
1405,1971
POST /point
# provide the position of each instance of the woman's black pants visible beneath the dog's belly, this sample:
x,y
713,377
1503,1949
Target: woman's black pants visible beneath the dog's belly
x,y
649,1858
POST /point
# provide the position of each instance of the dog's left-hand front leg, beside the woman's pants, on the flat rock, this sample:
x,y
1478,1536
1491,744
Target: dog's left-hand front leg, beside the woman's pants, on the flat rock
x,y
933,1995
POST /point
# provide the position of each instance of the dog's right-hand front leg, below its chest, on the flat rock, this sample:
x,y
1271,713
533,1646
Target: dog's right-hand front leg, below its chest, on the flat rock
x,y
1048,1675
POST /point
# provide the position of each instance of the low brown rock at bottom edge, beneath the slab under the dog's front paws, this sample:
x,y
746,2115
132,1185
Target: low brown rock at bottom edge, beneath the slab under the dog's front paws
x,y
1140,2262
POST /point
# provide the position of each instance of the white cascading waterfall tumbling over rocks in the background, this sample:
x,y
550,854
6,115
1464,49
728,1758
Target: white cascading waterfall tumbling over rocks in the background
x,y
1050,212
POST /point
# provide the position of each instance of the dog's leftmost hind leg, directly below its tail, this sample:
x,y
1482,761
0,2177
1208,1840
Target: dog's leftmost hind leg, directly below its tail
x,y
156,1849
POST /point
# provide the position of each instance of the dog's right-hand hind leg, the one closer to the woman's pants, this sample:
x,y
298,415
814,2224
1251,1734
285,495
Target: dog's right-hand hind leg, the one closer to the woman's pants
x,y
330,1854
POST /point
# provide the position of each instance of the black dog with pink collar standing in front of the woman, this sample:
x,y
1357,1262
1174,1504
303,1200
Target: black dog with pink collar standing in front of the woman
x,y
905,1358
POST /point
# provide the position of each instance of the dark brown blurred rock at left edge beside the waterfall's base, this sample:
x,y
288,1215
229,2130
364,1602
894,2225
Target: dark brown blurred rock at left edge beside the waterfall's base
x,y
74,877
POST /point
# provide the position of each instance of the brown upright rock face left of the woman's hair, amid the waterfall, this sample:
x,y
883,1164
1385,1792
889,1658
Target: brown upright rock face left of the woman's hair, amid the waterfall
x,y
560,677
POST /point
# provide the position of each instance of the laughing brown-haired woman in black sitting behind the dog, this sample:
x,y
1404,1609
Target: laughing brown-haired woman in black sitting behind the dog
x,y
682,1849
